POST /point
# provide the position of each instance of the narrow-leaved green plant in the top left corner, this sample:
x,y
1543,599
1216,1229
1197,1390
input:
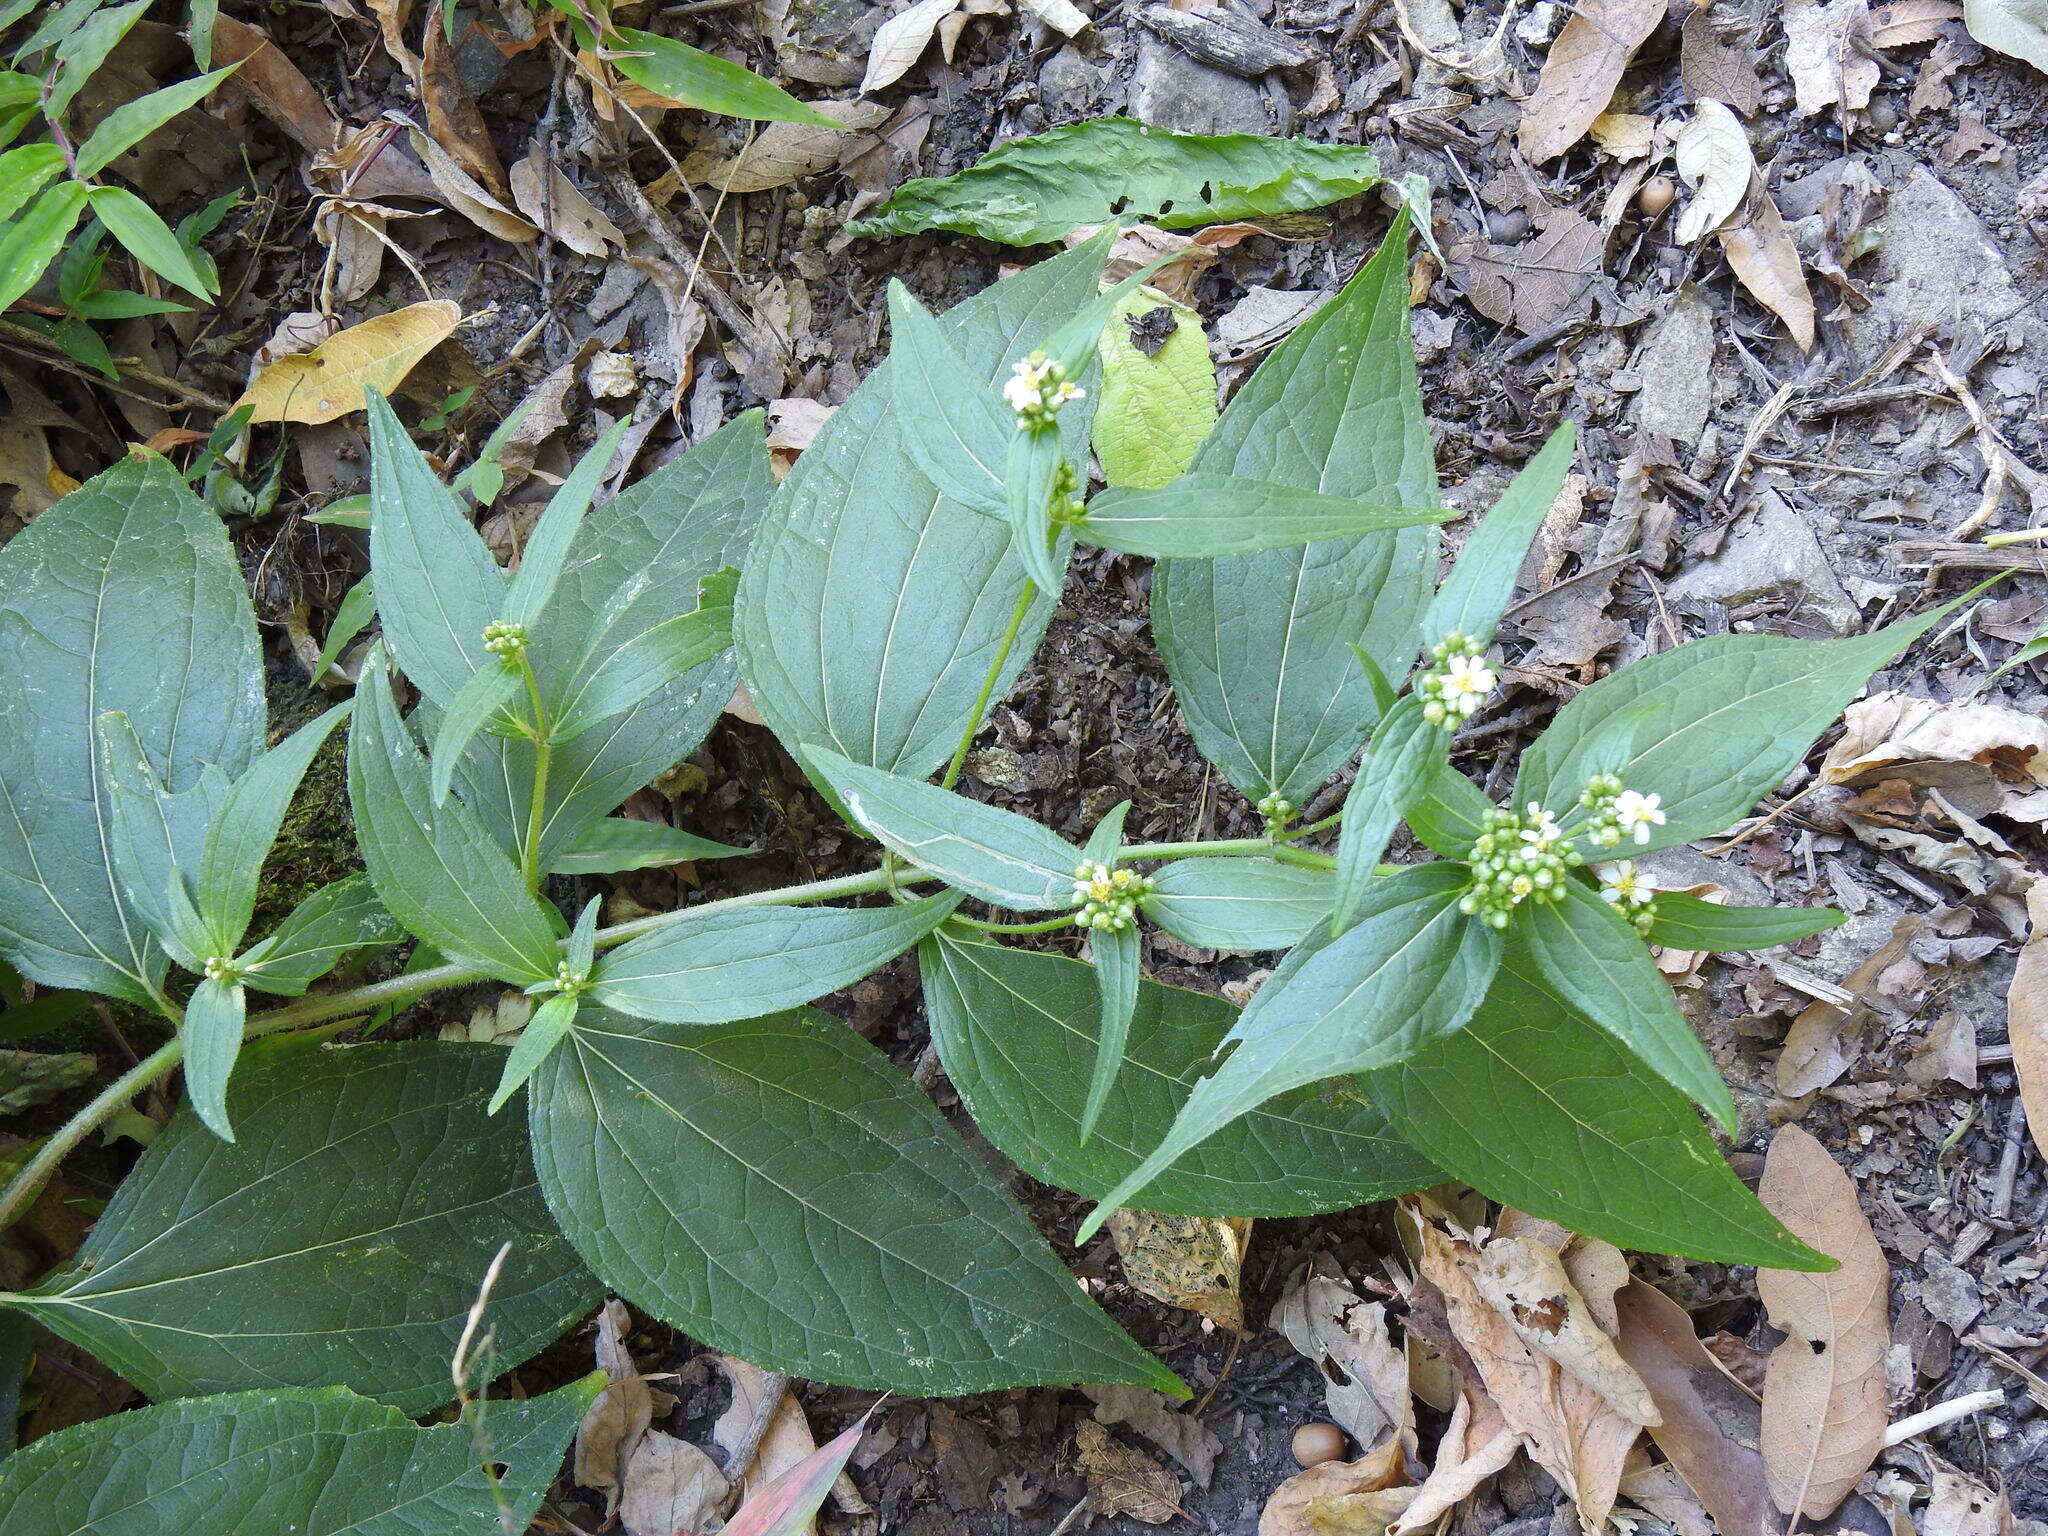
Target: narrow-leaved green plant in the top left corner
x,y
52,183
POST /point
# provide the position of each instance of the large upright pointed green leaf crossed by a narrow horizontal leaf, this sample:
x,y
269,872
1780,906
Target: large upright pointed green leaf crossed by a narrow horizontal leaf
x,y
1261,646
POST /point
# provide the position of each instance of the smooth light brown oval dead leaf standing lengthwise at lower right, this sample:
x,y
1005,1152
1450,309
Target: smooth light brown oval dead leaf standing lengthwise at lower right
x,y
1824,1392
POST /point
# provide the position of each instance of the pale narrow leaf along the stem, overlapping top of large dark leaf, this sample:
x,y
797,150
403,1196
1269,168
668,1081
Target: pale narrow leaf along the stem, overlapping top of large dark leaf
x,y
751,962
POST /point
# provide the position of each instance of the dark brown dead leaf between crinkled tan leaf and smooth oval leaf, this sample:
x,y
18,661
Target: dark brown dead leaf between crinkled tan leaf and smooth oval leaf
x,y
1709,1426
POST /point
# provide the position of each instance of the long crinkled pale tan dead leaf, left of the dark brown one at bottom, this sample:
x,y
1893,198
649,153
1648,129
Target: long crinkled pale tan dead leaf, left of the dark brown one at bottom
x,y
1568,1428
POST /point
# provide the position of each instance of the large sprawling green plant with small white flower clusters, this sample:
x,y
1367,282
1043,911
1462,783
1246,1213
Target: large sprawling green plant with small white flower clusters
x,y
710,1146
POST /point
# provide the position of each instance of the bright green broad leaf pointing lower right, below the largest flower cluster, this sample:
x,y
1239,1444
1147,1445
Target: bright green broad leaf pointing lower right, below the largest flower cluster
x,y
1541,1111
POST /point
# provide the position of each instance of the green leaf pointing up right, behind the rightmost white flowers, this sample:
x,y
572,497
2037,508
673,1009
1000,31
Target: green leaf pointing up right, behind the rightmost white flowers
x,y
1740,716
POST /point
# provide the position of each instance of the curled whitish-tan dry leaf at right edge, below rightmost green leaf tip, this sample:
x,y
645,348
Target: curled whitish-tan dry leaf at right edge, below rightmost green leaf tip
x,y
1986,759
